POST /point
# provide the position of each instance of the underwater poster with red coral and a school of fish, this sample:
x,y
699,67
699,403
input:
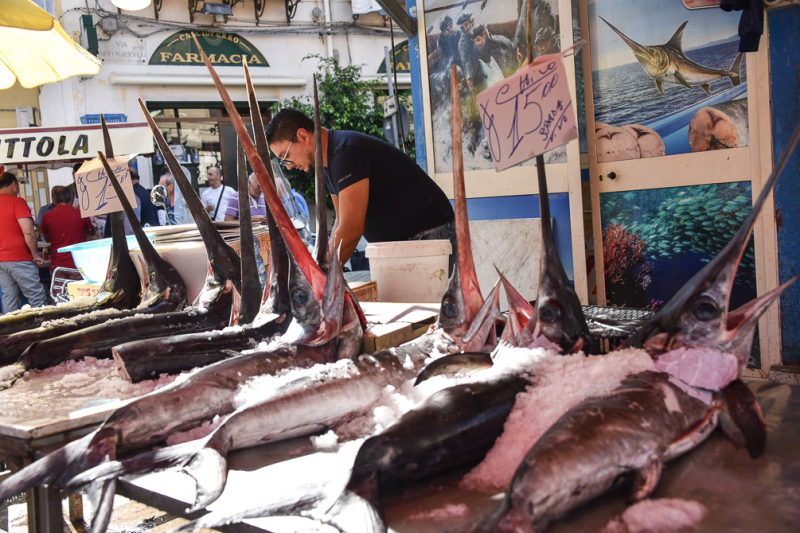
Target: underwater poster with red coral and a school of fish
x,y
655,240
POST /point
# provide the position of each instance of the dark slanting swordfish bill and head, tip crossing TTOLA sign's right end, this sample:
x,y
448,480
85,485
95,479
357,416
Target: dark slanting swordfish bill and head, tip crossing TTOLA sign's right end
x,y
224,261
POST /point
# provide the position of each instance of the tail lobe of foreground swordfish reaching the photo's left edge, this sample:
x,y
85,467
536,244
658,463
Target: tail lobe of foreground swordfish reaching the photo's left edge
x,y
47,470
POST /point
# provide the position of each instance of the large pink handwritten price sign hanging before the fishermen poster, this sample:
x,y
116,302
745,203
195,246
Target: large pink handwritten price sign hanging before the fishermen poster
x,y
528,113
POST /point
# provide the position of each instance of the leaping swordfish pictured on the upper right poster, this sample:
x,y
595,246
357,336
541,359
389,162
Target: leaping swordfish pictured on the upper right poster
x,y
667,63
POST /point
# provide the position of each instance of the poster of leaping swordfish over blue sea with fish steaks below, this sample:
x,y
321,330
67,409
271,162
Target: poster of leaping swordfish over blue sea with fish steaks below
x,y
667,79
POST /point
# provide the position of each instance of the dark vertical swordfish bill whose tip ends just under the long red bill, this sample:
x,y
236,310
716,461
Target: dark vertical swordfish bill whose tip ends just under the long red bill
x,y
251,284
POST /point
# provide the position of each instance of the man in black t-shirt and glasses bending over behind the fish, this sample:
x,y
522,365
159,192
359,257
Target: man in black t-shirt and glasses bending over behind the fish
x,y
377,190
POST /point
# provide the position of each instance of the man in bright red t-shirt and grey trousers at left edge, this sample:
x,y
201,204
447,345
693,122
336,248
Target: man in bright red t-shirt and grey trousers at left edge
x,y
19,253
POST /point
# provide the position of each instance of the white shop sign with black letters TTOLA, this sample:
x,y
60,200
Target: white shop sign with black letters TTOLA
x,y
30,145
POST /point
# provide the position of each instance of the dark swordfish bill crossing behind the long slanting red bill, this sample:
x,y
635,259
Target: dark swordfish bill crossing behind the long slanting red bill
x,y
276,293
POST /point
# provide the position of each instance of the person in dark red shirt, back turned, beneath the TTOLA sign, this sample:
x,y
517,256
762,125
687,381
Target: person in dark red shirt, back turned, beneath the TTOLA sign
x,y
64,226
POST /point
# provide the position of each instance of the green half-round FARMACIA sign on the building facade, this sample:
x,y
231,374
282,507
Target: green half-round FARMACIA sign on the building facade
x,y
221,48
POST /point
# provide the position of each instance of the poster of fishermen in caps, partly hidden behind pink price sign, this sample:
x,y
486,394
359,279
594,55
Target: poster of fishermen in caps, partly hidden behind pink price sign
x,y
487,44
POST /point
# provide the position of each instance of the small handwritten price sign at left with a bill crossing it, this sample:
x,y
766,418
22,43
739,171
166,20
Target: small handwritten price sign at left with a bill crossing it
x,y
95,192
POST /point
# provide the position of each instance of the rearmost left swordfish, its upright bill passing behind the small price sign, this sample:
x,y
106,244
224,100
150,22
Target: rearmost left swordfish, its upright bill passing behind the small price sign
x,y
121,288
